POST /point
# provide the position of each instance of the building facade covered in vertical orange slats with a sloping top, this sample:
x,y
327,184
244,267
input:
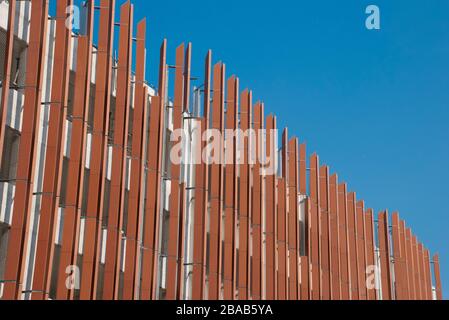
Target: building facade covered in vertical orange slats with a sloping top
x,y
113,189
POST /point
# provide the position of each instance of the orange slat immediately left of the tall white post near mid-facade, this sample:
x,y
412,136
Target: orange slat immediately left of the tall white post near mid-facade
x,y
175,210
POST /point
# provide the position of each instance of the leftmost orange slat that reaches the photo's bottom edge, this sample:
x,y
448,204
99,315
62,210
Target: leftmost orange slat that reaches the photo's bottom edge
x,y
16,251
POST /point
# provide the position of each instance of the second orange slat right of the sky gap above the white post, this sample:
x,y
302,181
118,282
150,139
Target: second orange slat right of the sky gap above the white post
x,y
216,196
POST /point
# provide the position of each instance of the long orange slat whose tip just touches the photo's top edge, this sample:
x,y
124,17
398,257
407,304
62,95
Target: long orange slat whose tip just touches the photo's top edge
x,y
119,153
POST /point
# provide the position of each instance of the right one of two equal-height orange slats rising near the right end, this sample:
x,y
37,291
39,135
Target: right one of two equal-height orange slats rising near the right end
x,y
397,258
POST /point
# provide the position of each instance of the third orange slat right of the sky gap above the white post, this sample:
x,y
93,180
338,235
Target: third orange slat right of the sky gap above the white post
x,y
230,198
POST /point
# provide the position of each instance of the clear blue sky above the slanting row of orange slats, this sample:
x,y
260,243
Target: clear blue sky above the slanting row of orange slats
x,y
373,104
